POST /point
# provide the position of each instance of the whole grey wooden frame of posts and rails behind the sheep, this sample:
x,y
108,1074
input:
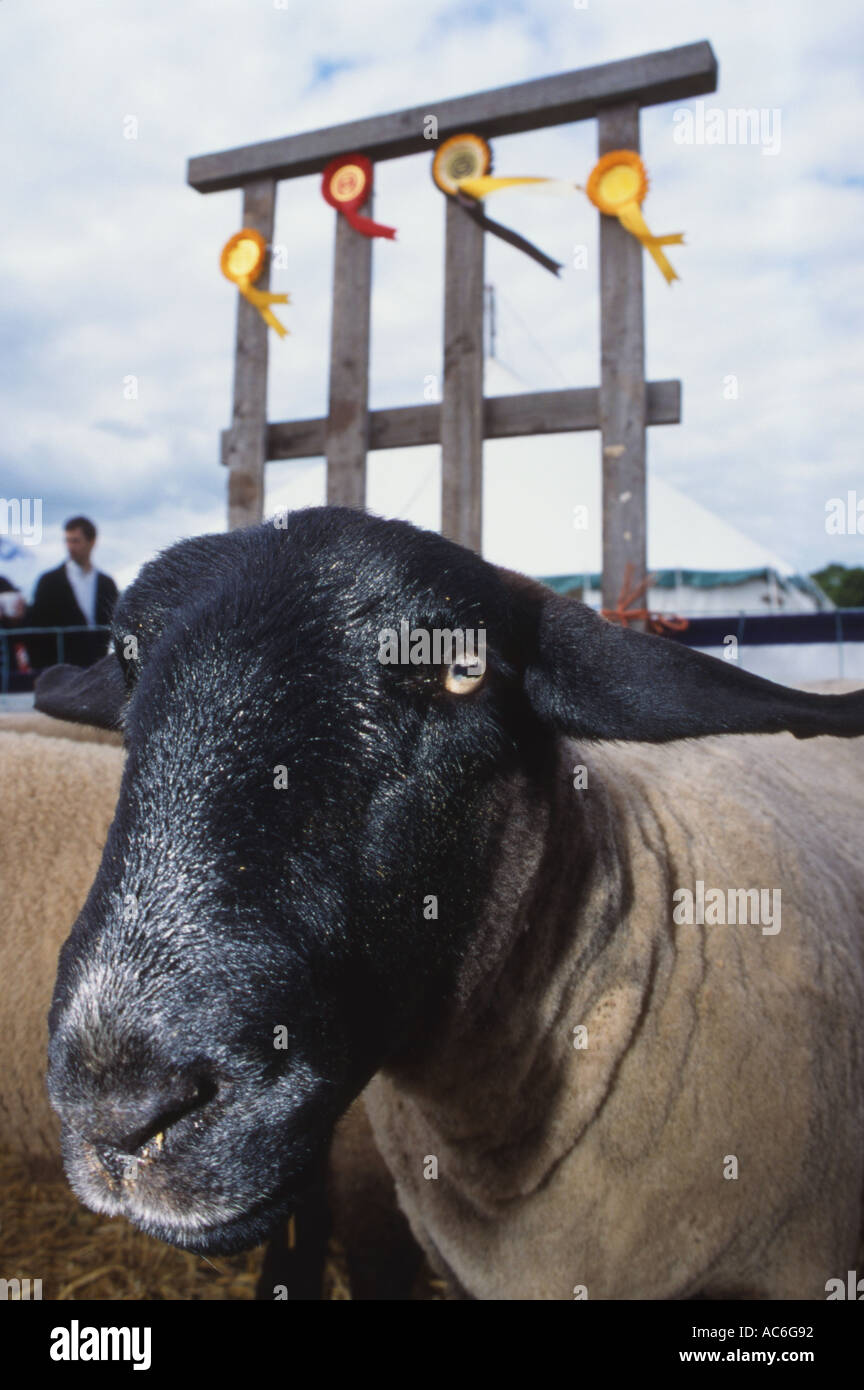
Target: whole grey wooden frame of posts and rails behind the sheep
x,y
622,408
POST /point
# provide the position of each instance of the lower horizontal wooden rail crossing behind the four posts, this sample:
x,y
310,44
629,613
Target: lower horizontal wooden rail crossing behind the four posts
x,y
526,414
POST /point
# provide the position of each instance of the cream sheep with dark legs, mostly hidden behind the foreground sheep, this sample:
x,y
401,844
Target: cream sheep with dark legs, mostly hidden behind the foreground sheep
x,y
59,796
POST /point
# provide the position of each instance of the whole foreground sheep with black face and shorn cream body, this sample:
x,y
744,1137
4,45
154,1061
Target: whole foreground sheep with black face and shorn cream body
x,y
462,881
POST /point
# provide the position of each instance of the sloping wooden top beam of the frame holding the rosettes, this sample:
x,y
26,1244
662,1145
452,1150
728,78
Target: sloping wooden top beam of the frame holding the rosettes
x,y
667,76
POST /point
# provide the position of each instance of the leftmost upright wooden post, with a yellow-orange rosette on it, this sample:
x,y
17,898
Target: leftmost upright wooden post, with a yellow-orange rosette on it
x,y
247,450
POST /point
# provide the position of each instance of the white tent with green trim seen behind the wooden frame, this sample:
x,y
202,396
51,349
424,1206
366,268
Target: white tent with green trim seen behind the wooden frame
x,y
542,515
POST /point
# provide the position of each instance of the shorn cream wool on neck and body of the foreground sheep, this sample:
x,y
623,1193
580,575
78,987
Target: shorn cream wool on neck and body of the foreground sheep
x,y
599,1172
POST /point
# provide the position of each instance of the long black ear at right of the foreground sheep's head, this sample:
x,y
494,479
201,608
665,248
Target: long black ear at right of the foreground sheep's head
x,y
594,679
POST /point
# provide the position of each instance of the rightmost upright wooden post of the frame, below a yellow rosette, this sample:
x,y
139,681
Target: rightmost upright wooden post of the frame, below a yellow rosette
x,y
623,397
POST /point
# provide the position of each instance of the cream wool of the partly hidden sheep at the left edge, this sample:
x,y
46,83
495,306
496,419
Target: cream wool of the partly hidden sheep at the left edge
x,y
58,800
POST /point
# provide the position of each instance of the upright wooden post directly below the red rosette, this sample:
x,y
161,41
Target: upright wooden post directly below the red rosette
x,y
348,423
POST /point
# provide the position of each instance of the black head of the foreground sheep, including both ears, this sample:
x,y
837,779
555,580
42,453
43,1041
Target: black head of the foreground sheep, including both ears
x,y
305,833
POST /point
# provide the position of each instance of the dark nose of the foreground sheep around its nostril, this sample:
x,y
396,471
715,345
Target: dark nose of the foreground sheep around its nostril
x,y
123,1129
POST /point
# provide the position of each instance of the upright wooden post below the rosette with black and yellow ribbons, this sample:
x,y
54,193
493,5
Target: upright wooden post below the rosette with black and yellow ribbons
x,y
462,412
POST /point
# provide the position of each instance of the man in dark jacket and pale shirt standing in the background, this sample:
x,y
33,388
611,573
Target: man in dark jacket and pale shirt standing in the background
x,y
73,596
